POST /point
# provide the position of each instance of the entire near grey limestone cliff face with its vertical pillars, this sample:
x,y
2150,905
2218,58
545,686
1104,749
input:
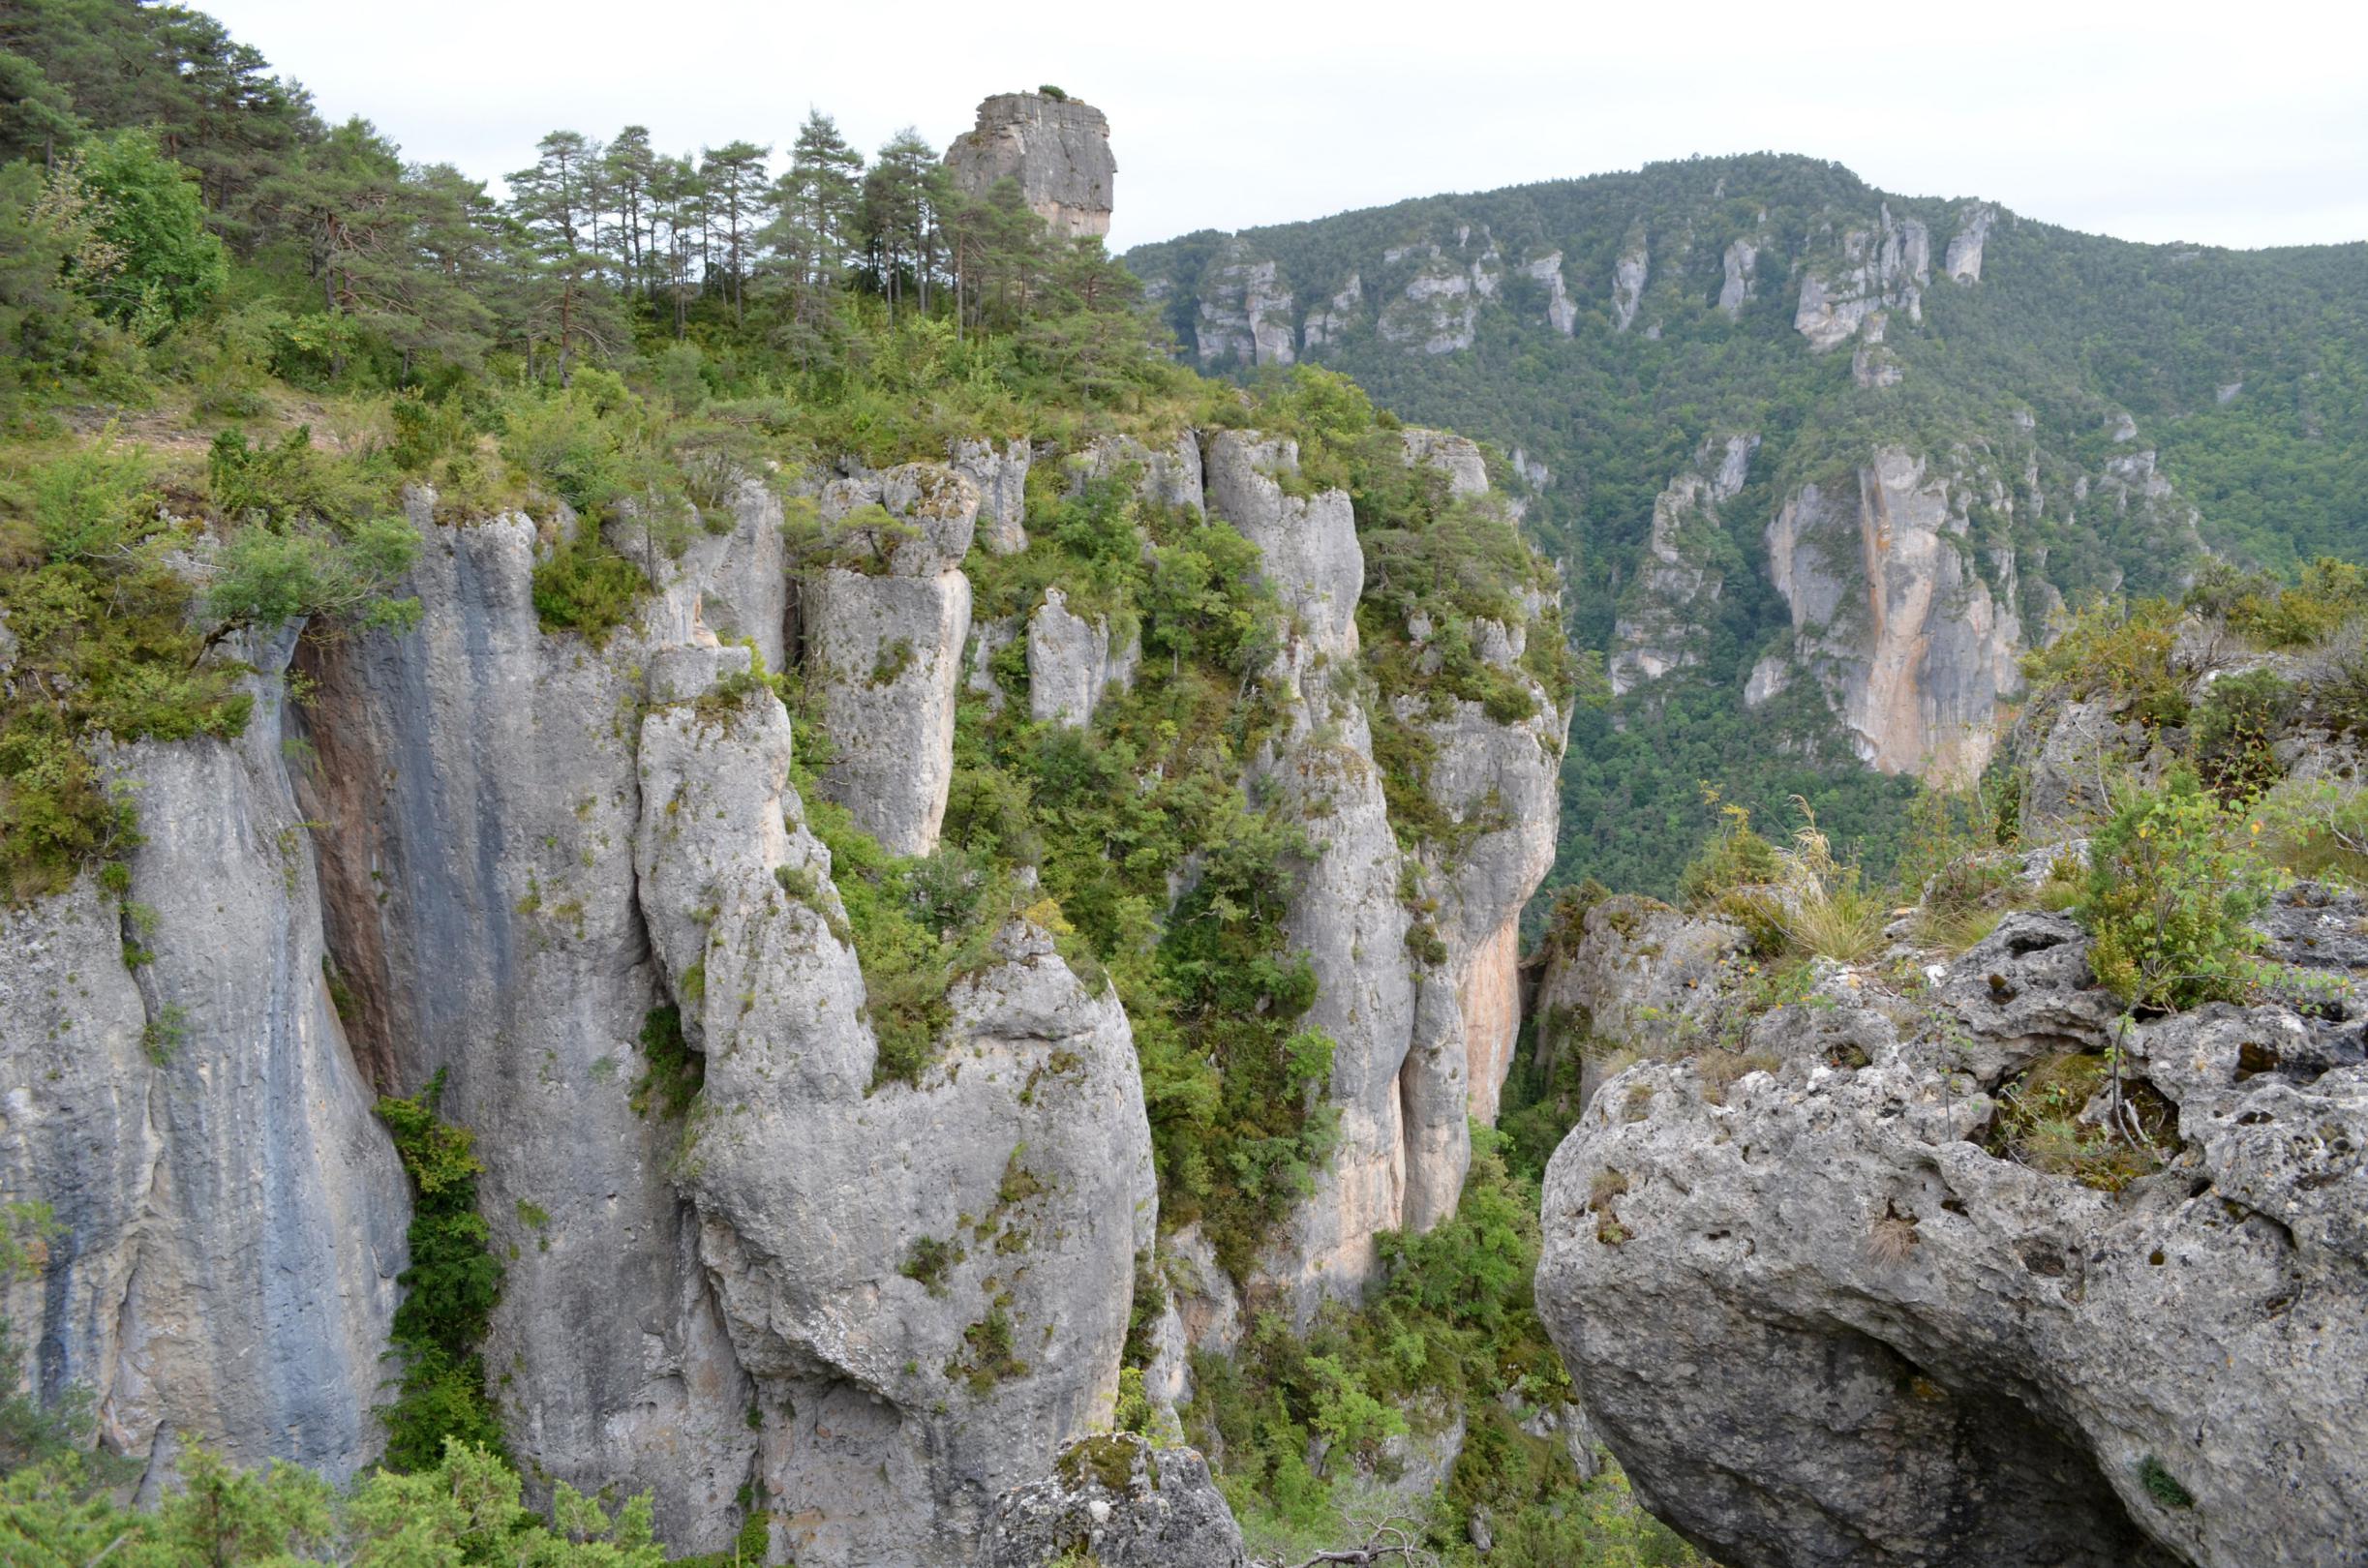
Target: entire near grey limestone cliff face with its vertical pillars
x,y
749,1271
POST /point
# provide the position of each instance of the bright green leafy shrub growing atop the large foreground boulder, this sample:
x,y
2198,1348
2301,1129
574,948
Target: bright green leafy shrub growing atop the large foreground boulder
x,y
2175,882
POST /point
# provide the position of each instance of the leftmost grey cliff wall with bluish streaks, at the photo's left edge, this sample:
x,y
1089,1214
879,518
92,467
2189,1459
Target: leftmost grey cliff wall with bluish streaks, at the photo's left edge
x,y
231,1219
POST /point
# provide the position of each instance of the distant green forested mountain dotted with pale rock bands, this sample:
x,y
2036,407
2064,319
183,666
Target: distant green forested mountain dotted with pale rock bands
x,y
1604,333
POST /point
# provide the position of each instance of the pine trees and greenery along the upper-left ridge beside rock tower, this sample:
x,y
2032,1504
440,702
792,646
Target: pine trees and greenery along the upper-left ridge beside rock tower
x,y
148,155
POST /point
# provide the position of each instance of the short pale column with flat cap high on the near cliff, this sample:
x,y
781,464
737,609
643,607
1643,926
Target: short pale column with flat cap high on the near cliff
x,y
884,650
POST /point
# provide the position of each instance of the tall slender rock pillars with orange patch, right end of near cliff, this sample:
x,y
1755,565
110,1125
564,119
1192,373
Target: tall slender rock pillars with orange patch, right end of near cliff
x,y
1420,1048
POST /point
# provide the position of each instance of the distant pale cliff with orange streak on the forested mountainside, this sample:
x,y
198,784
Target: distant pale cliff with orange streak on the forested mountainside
x,y
1915,645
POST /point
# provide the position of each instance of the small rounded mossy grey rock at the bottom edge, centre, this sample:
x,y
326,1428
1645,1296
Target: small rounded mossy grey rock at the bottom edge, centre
x,y
1119,1503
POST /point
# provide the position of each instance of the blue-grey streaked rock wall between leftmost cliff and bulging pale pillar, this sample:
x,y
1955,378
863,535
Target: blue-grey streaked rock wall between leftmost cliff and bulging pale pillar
x,y
480,799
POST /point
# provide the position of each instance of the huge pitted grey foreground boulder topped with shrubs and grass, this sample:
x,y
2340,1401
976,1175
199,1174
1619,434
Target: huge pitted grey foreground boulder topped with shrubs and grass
x,y
2021,1228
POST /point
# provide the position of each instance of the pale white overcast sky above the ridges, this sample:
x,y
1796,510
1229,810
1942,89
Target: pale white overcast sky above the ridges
x,y
2149,120
